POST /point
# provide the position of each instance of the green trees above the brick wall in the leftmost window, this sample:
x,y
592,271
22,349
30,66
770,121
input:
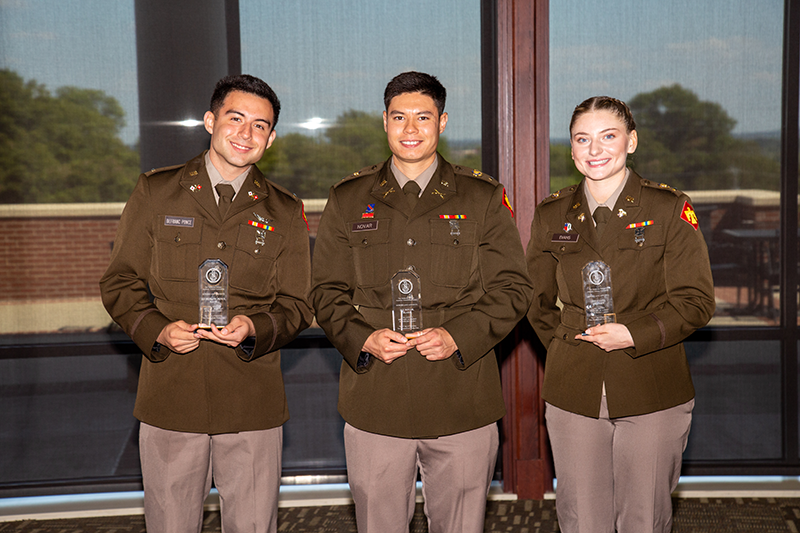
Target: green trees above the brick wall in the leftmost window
x,y
63,147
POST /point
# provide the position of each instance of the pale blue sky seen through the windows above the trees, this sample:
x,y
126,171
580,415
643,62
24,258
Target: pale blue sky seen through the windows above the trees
x,y
324,57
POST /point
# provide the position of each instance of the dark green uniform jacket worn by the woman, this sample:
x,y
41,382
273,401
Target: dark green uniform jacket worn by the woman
x,y
662,291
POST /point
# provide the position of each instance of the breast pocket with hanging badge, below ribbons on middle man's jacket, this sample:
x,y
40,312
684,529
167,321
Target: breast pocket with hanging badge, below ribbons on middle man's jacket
x,y
454,246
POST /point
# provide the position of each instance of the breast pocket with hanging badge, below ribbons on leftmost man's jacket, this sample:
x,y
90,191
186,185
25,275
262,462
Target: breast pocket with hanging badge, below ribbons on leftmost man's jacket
x,y
254,259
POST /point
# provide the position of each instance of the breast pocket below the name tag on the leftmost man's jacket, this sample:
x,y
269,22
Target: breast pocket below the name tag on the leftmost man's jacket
x,y
178,251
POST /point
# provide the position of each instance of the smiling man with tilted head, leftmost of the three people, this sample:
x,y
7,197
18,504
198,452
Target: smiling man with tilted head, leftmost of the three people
x,y
211,400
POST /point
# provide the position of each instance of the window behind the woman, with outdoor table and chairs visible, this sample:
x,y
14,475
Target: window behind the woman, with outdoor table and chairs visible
x,y
705,87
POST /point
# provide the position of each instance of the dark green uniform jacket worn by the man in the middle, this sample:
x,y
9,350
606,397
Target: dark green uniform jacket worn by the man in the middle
x,y
462,241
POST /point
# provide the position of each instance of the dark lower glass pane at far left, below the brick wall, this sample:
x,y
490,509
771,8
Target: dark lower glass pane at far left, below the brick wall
x,y
68,418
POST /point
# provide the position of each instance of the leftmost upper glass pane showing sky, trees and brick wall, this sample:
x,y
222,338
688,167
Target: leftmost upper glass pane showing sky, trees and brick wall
x,y
69,134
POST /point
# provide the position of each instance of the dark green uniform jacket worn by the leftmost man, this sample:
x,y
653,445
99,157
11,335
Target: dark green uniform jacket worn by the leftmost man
x,y
170,225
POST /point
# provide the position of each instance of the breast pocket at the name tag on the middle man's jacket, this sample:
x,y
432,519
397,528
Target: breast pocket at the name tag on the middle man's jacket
x,y
369,243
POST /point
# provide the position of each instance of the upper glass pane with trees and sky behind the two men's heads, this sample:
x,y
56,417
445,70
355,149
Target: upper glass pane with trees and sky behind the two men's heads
x,y
330,64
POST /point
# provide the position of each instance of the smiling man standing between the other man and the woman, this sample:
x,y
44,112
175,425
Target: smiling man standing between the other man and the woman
x,y
427,398
